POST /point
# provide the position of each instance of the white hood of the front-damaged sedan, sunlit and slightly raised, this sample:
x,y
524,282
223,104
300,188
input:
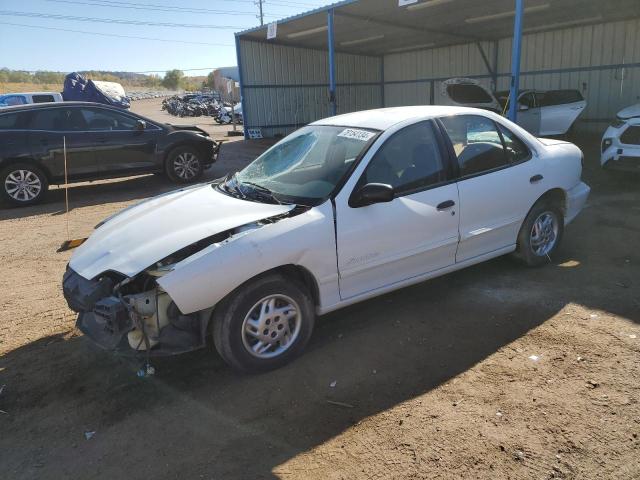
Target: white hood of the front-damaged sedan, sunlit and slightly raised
x,y
139,236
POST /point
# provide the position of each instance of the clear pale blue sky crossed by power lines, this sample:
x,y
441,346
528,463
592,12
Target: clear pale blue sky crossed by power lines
x,y
23,47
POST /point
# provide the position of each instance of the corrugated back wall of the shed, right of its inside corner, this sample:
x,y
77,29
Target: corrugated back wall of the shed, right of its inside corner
x,y
585,53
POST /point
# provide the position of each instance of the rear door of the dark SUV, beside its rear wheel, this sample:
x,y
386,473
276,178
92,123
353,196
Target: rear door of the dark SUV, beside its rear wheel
x,y
50,129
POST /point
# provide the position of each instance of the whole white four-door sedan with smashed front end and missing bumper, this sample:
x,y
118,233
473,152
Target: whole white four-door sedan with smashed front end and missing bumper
x,y
339,211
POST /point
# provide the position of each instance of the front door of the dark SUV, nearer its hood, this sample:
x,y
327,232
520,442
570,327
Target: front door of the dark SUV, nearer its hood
x,y
120,145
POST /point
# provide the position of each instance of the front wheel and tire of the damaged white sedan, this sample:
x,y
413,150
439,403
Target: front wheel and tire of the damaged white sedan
x,y
264,324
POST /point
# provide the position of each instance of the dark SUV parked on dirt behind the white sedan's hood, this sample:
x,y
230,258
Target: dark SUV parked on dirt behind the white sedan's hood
x,y
37,143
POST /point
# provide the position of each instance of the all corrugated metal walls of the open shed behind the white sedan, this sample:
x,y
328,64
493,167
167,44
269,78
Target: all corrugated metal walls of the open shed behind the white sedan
x,y
285,87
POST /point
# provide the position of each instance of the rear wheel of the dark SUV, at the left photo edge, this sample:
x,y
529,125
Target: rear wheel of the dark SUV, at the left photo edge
x,y
22,184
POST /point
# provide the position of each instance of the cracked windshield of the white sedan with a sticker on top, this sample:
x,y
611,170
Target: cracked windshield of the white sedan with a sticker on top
x,y
304,167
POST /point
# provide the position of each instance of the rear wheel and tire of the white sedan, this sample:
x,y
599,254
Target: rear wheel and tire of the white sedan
x,y
540,234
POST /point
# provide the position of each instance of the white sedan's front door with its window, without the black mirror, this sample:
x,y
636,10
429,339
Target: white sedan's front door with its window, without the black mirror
x,y
416,233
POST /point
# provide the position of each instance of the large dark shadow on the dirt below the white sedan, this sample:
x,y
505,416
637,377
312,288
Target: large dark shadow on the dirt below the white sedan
x,y
196,416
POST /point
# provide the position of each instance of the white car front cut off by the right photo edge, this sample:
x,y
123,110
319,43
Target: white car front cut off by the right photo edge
x,y
621,141
